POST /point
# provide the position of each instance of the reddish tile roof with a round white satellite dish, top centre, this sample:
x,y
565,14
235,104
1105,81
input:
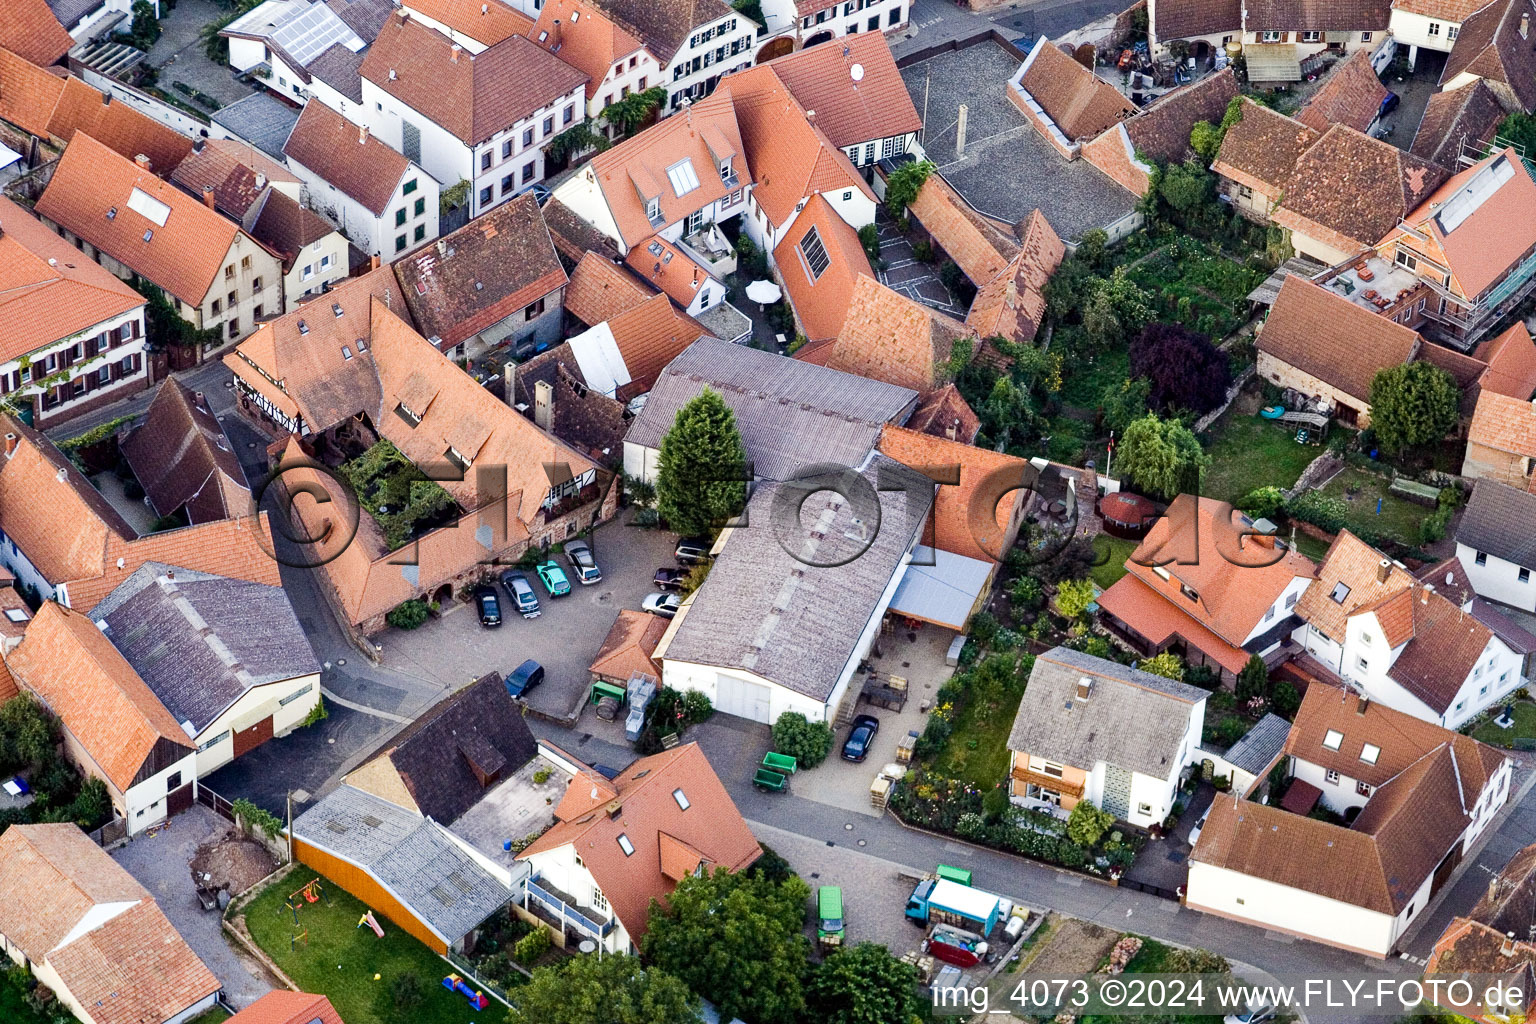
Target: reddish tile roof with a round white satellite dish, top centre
x,y
852,111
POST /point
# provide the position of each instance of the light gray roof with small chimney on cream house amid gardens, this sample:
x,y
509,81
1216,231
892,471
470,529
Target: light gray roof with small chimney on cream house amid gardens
x,y
1131,719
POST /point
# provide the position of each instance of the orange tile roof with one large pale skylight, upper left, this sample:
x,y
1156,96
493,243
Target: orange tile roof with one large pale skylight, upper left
x,y
184,256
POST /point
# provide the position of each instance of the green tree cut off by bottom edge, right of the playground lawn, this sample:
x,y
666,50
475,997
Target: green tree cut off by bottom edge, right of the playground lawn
x,y
604,991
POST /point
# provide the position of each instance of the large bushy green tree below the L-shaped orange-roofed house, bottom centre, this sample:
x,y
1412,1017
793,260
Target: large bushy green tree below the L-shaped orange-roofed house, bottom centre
x,y
738,942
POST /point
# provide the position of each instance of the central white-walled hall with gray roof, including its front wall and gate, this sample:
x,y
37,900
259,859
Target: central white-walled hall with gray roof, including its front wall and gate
x,y
792,607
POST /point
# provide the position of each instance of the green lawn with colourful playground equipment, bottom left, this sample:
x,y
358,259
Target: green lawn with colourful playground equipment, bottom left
x,y
342,959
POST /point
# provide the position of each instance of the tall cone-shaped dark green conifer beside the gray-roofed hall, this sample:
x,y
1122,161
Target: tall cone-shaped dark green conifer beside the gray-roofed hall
x,y
701,472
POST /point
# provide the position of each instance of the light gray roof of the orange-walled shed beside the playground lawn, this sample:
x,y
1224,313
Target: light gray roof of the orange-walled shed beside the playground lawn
x,y
411,857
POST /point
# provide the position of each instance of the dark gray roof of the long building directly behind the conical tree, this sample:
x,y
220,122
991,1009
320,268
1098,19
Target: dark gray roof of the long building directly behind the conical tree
x,y
792,414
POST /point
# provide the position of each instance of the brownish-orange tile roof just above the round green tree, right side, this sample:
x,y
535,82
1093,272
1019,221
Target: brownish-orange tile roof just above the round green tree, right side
x,y
1305,322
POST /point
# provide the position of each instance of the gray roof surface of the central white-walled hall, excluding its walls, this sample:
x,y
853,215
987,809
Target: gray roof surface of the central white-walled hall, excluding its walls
x,y
769,612
